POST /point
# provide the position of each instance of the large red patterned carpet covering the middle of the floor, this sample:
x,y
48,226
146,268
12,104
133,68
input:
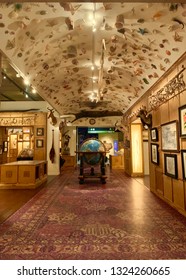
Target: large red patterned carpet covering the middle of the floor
x,y
119,220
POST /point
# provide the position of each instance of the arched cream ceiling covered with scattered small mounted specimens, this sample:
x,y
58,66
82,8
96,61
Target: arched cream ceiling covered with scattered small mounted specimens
x,y
92,57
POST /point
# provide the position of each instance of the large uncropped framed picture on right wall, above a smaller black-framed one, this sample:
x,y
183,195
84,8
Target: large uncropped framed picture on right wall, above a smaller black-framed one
x,y
169,137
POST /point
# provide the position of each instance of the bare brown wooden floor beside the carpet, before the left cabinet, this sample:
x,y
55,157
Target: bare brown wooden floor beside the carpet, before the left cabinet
x,y
12,200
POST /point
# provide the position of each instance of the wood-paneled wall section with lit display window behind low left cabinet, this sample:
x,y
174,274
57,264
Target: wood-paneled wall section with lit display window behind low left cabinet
x,y
20,131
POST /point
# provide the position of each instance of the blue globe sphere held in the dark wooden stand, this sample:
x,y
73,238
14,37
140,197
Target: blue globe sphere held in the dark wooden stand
x,y
92,145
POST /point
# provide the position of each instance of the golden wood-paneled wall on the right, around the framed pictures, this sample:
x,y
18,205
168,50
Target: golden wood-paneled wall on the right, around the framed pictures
x,y
171,190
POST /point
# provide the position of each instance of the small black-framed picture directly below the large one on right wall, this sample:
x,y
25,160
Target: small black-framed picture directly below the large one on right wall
x,y
170,165
